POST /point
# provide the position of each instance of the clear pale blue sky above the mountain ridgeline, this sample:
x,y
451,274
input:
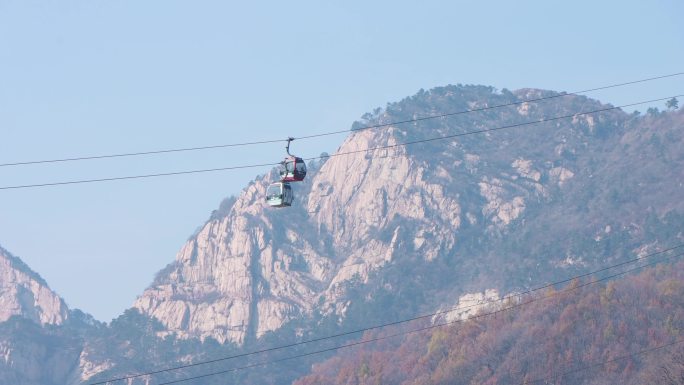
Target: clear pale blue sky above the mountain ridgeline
x,y
92,77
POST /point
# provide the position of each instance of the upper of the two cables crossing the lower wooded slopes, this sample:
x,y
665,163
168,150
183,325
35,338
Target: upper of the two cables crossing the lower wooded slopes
x,y
394,323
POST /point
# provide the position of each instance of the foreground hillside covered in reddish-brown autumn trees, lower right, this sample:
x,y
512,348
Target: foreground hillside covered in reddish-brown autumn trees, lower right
x,y
568,333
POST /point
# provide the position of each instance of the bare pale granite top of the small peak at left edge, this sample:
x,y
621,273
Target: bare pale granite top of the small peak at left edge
x,y
24,293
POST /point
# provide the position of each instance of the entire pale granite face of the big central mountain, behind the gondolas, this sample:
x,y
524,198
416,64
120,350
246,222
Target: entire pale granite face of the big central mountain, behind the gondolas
x,y
250,272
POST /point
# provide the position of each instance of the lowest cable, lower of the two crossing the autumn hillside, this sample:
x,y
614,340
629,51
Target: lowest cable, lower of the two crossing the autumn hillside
x,y
403,333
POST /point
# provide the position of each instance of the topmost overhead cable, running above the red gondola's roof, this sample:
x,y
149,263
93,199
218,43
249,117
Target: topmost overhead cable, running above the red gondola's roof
x,y
269,141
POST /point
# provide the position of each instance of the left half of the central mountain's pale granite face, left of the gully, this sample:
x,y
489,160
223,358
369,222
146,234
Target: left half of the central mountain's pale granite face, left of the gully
x,y
231,280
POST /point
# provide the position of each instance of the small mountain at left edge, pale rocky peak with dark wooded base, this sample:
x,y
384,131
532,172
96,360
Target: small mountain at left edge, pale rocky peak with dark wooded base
x,y
31,351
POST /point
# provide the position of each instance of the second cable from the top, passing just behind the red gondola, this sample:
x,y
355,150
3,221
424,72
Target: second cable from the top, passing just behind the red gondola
x,y
144,176
